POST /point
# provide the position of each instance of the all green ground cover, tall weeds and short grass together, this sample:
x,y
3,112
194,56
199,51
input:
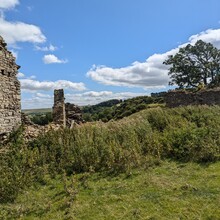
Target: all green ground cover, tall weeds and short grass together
x,y
128,169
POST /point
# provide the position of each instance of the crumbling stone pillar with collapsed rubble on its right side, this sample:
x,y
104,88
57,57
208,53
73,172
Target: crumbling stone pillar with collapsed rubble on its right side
x,y
65,114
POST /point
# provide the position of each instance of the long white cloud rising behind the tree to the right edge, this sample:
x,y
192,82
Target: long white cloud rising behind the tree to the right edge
x,y
149,74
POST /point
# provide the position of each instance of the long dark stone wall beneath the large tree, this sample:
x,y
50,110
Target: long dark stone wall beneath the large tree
x,y
184,98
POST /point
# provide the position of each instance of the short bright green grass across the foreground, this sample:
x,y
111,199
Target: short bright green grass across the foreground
x,y
170,190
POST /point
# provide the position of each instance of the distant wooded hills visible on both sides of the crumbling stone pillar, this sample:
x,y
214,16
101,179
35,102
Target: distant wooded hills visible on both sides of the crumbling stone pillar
x,y
105,111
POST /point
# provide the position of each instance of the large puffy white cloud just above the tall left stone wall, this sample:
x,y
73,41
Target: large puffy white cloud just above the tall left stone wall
x,y
14,32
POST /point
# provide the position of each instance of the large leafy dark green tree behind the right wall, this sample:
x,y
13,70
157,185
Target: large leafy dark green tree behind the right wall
x,y
194,65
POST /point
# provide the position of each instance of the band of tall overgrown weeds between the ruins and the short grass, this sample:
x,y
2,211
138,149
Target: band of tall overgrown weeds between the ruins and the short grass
x,y
145,139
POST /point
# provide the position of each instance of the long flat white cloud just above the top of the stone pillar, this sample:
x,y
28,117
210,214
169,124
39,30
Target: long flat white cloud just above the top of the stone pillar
x,y
34,85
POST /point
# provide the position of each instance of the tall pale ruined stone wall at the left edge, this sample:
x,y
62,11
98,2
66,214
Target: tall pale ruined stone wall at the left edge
x,y
10,108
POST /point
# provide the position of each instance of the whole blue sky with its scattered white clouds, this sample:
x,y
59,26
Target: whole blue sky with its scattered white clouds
x,y
101,49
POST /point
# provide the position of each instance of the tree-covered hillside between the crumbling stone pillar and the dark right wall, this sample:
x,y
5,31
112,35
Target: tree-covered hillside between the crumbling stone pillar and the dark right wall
x,y
117,109
